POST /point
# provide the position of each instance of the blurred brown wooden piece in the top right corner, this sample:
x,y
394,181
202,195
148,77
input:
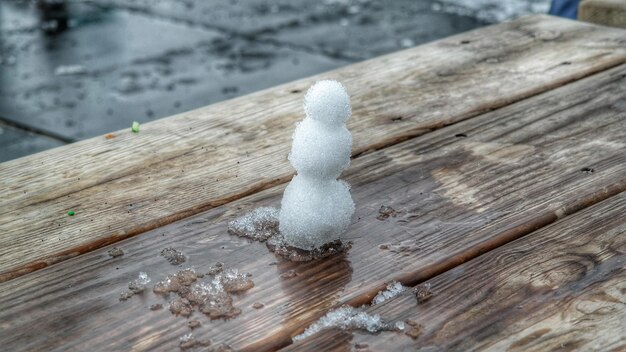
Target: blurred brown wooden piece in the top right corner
x,y
604,12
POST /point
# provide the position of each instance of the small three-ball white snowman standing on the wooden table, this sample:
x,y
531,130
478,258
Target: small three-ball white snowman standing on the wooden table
x,y
317,208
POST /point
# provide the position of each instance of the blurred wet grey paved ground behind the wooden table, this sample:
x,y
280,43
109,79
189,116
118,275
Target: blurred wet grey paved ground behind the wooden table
x,y
75,69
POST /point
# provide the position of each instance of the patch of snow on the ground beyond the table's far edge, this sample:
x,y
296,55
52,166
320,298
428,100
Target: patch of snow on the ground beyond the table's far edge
x,y
492,10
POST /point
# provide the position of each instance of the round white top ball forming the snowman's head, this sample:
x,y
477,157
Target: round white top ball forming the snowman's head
x,y
328,102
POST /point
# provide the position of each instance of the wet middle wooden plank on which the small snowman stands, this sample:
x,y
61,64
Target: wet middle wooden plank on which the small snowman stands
x,y
517,169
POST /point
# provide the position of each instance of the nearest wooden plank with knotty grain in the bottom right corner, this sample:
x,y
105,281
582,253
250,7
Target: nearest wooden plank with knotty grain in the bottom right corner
x,y
561,288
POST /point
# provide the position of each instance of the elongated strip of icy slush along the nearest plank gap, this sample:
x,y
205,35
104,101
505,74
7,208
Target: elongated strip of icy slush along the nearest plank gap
x,y
346,318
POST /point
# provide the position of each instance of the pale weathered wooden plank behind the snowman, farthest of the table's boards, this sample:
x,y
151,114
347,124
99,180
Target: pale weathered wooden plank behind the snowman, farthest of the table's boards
x,y
183,165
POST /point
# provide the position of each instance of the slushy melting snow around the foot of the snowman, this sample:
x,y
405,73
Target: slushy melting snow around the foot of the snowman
x,y
262,225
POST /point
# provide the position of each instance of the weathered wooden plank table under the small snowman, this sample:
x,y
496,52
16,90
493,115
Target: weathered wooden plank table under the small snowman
x,y
503,150
